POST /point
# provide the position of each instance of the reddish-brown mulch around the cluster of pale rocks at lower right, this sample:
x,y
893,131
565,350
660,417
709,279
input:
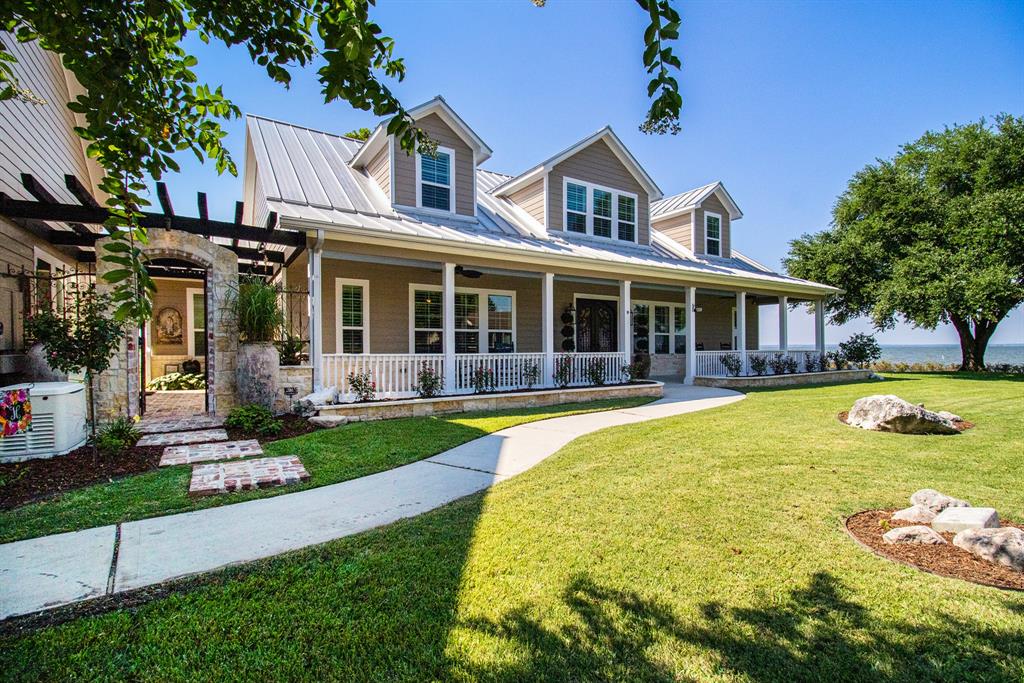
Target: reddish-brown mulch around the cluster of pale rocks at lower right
x,y
946,561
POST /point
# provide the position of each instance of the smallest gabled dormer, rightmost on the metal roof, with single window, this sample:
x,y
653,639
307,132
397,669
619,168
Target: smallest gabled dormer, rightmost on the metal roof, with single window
x,y
701,220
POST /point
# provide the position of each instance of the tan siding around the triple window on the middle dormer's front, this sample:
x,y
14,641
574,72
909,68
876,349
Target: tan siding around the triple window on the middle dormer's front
x,y
598,164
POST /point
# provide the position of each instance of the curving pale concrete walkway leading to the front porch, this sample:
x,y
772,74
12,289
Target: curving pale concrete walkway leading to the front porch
x,y
46,573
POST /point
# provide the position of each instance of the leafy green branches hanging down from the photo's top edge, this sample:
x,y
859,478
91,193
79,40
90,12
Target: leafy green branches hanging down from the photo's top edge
x,y
144,103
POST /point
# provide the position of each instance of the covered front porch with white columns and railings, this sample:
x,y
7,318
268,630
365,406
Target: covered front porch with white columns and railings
x,y
483,325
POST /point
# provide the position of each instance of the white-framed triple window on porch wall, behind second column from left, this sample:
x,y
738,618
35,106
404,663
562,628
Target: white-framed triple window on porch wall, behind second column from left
x,y
477,330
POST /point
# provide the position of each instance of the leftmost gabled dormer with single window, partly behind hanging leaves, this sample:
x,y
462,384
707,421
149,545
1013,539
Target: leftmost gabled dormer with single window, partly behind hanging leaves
x,y
444,185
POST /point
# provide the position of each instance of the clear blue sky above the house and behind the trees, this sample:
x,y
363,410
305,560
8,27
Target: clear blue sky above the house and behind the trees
x,y
783,102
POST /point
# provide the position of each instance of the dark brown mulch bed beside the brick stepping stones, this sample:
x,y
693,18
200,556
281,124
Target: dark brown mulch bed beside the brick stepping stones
x,y
36,480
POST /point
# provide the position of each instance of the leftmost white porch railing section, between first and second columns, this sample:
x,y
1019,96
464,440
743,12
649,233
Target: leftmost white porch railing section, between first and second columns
x,y
395,374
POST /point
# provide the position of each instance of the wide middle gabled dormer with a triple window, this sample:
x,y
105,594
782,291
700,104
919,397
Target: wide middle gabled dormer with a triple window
x,y
594,188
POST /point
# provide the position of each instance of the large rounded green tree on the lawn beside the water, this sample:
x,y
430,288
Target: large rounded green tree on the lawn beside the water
x,y
933,236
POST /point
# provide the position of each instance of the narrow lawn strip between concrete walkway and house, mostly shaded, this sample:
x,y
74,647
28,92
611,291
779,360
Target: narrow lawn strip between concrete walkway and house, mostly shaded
x,y
330,456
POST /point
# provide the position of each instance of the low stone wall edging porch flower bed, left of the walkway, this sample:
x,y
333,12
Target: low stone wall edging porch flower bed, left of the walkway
x,y
387,410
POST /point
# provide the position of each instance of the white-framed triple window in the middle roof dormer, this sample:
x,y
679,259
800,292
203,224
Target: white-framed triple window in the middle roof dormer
x,y
603,212
